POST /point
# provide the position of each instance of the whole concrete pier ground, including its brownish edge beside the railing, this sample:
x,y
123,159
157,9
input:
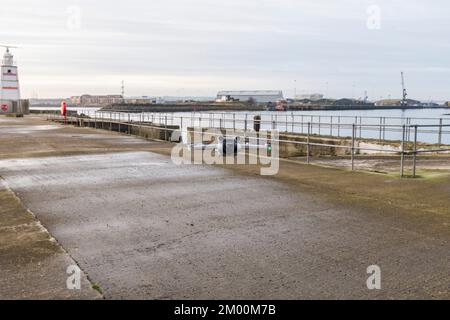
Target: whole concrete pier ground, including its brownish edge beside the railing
x,y
141,227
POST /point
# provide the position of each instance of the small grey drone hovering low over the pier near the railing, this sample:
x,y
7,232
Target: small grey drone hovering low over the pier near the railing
x,y
229,145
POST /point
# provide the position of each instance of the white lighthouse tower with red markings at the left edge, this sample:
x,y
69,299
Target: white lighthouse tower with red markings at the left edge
x,y
9,90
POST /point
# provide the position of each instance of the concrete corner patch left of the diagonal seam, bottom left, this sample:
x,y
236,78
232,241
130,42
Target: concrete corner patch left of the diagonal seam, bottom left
x,y
33,265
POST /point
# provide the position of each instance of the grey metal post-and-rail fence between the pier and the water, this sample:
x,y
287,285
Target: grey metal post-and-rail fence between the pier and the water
x,y
355,128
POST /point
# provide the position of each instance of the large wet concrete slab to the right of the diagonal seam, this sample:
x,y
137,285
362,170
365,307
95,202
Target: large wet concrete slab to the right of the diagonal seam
x,y
142,227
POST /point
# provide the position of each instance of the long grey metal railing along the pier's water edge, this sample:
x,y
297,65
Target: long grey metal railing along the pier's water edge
x,y
409,143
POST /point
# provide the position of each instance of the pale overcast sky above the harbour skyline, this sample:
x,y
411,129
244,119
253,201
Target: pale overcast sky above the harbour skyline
x,y
197,47
